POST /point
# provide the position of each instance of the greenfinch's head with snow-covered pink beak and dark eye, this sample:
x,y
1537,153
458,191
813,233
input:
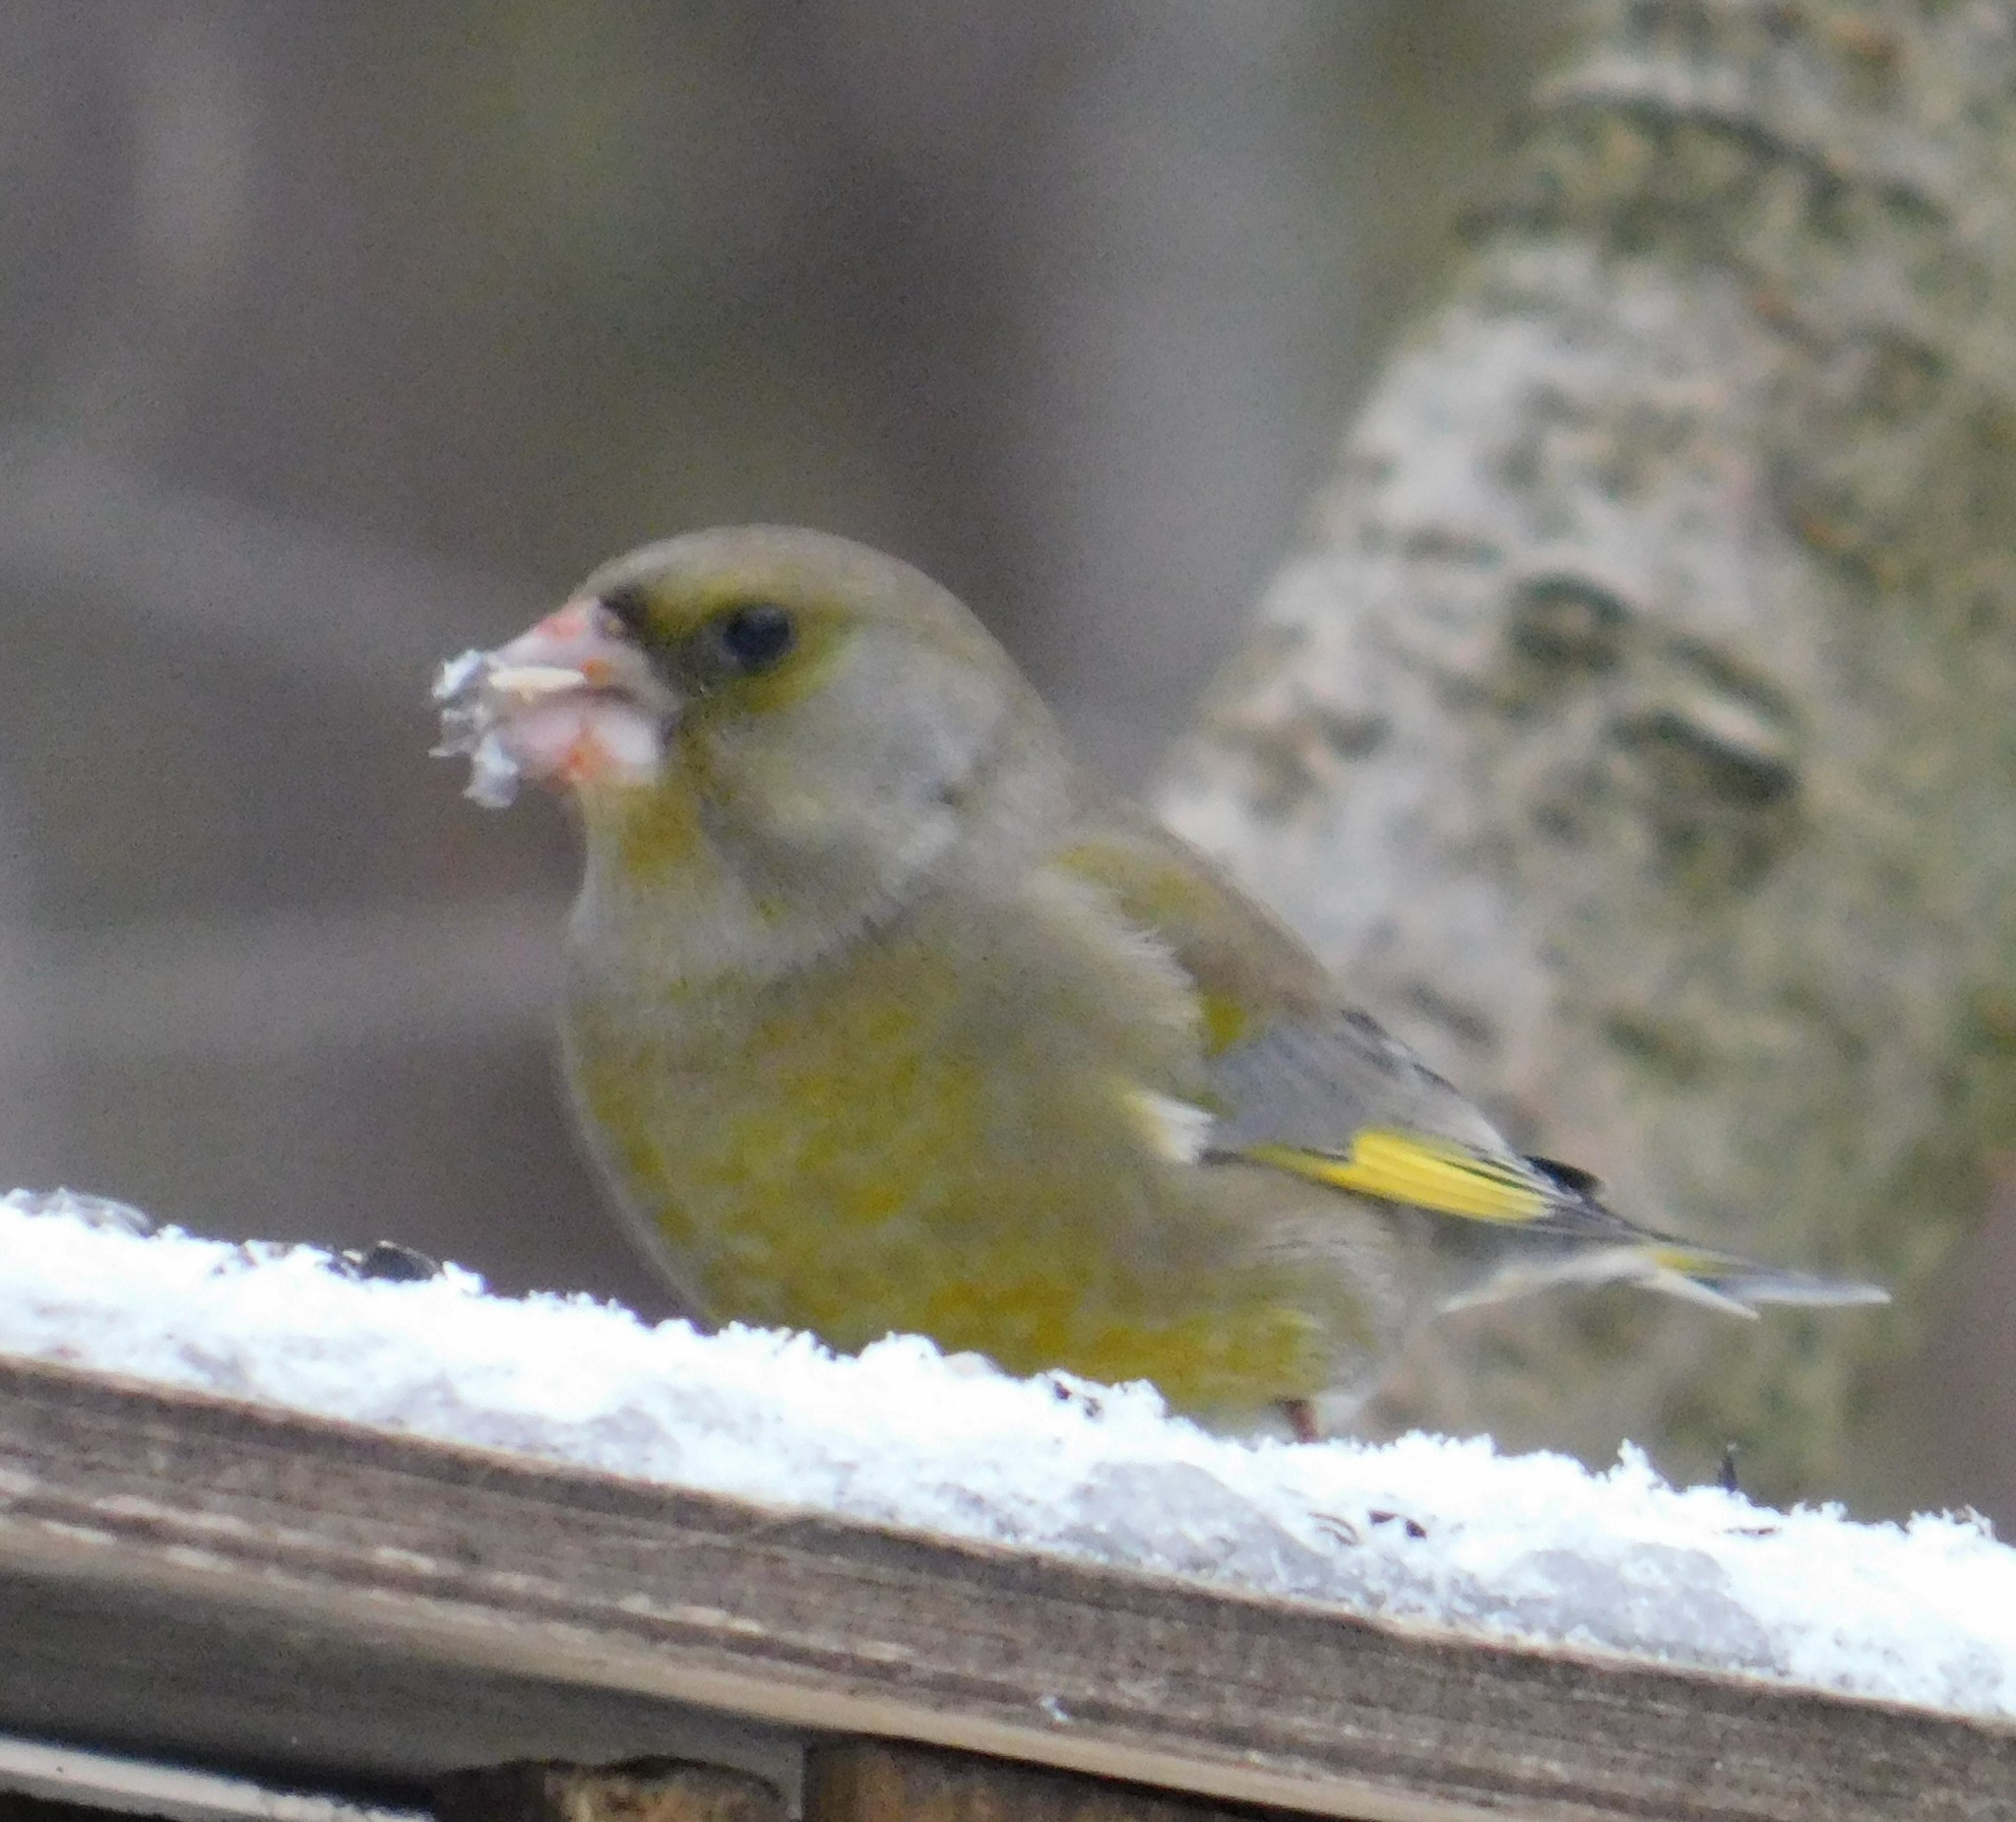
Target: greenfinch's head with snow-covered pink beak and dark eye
x,y
815,721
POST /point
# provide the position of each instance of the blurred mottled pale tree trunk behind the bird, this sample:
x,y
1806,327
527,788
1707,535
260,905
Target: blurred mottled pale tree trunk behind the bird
x,y
1636,727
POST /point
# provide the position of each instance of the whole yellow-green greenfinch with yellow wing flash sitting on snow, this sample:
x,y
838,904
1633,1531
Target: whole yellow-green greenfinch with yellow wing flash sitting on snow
x,y
880,1015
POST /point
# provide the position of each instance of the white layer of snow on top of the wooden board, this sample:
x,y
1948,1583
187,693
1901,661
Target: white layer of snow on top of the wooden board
x,y
1430,1531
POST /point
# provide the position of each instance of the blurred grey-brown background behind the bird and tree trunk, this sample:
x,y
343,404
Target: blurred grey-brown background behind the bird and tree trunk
x,y
344,334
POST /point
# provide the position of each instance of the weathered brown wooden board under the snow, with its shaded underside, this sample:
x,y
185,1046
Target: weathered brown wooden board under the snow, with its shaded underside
x,y
316,1595
